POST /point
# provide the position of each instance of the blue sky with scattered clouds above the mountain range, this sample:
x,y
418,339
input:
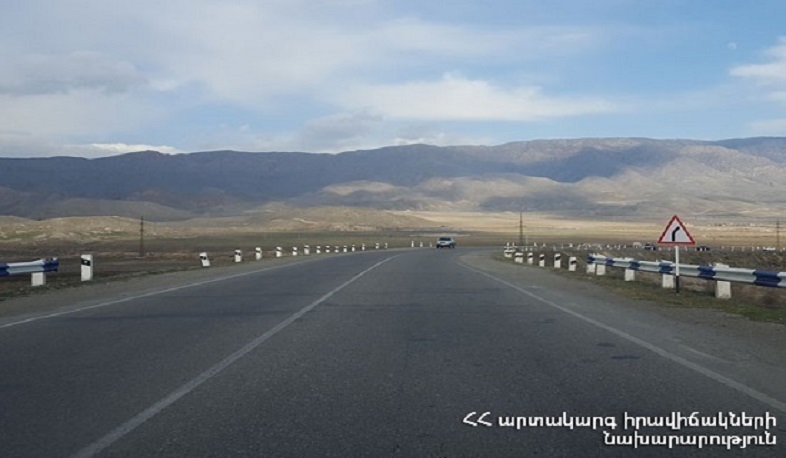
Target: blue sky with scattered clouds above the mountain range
x,y
96,78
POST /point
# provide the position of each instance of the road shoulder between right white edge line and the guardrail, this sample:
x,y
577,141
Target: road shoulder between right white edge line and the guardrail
x,y
749,352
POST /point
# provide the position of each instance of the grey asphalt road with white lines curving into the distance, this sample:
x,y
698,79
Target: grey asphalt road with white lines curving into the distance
x,y
379,354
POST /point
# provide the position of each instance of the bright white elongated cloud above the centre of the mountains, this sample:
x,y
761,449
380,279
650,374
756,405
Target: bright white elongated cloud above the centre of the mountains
x,y
455,98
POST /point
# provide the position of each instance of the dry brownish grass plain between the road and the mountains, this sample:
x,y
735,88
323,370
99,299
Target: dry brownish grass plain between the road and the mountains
x,y
115,242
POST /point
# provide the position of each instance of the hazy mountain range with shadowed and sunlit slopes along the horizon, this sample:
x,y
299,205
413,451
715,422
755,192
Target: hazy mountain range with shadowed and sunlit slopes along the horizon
x,y
606,177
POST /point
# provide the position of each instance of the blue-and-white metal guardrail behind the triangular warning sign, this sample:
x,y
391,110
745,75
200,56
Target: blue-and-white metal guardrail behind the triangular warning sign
x,y
717,273
